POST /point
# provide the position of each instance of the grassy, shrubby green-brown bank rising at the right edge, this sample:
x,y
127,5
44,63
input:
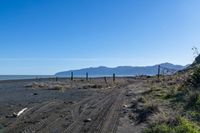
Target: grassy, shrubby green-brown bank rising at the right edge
x,y
183,96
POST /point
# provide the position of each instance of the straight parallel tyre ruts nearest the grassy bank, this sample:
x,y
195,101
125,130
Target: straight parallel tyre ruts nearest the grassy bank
x,y
104,114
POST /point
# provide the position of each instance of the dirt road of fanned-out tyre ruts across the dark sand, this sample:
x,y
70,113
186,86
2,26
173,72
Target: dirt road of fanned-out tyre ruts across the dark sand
x,y
97,113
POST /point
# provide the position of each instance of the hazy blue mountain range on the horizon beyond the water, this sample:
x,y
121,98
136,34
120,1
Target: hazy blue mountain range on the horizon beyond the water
x,y
122,70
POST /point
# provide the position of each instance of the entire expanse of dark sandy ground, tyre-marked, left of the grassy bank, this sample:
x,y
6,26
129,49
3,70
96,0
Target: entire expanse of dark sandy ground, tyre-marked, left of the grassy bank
x,y
64,106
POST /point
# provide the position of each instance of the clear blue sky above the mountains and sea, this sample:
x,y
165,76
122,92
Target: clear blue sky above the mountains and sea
x,y
48,36
